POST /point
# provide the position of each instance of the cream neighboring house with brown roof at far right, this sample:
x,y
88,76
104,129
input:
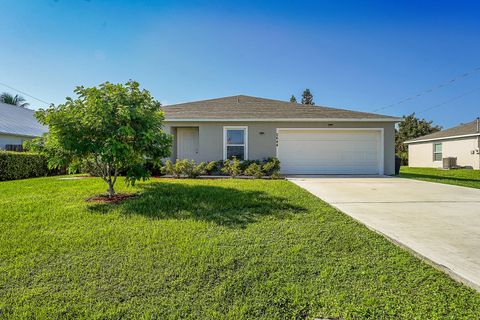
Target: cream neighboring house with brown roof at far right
x,y
461,142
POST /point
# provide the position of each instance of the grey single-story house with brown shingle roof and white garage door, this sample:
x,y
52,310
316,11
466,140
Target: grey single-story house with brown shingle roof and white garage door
x,y
306,139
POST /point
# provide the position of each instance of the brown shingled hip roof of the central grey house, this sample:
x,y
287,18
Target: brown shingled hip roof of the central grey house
x,y
239,108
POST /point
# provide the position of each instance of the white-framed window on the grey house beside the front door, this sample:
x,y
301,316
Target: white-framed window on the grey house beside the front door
x,y
235,143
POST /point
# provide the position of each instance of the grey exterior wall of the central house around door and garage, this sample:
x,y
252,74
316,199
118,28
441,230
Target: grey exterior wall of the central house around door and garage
x,y
264,145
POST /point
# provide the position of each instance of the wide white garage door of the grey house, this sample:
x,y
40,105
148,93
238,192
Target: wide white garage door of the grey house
x,y
314,151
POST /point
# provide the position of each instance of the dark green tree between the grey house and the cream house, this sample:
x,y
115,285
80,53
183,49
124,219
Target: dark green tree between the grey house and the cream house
x,y
410,128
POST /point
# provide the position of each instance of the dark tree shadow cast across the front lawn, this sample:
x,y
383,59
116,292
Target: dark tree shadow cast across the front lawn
x,y
224,206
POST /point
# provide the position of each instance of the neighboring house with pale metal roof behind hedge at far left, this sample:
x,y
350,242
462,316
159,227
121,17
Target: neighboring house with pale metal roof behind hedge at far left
x,y
17,124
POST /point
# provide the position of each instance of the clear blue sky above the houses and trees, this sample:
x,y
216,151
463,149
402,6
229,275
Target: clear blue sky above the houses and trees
x,y
361,55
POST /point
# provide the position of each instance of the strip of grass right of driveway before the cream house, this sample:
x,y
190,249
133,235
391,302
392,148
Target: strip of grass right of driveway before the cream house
x,y
459,177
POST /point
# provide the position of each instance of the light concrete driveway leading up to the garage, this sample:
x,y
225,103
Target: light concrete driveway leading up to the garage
x,y
439,222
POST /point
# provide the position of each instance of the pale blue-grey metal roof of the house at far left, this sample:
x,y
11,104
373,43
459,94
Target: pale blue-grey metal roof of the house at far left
x,y
19,121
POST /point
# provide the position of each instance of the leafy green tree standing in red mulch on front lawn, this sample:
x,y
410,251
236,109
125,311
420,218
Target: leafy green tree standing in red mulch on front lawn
x,y
111,128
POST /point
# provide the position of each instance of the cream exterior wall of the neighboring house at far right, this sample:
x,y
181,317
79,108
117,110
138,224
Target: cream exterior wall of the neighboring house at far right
x,y
421,154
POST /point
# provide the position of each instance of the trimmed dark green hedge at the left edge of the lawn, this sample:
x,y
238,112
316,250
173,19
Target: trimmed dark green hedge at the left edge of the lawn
x,y
21,165
